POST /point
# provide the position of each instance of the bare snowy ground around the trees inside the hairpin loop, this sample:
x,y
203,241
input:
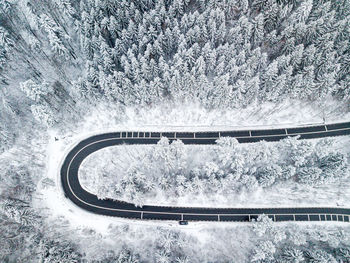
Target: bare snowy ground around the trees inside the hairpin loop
x,y
107,163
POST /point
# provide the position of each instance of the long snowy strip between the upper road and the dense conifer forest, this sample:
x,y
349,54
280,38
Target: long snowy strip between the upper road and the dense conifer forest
x,y
189,117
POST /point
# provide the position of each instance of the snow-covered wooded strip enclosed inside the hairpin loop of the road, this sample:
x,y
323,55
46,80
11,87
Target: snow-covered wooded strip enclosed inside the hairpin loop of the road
x,y
224,175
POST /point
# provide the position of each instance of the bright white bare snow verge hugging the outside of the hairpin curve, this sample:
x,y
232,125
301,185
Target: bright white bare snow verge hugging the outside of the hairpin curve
x,y
51,199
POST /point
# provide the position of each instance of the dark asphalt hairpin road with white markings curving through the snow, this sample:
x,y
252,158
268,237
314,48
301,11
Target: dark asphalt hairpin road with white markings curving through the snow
x,y
90,202
